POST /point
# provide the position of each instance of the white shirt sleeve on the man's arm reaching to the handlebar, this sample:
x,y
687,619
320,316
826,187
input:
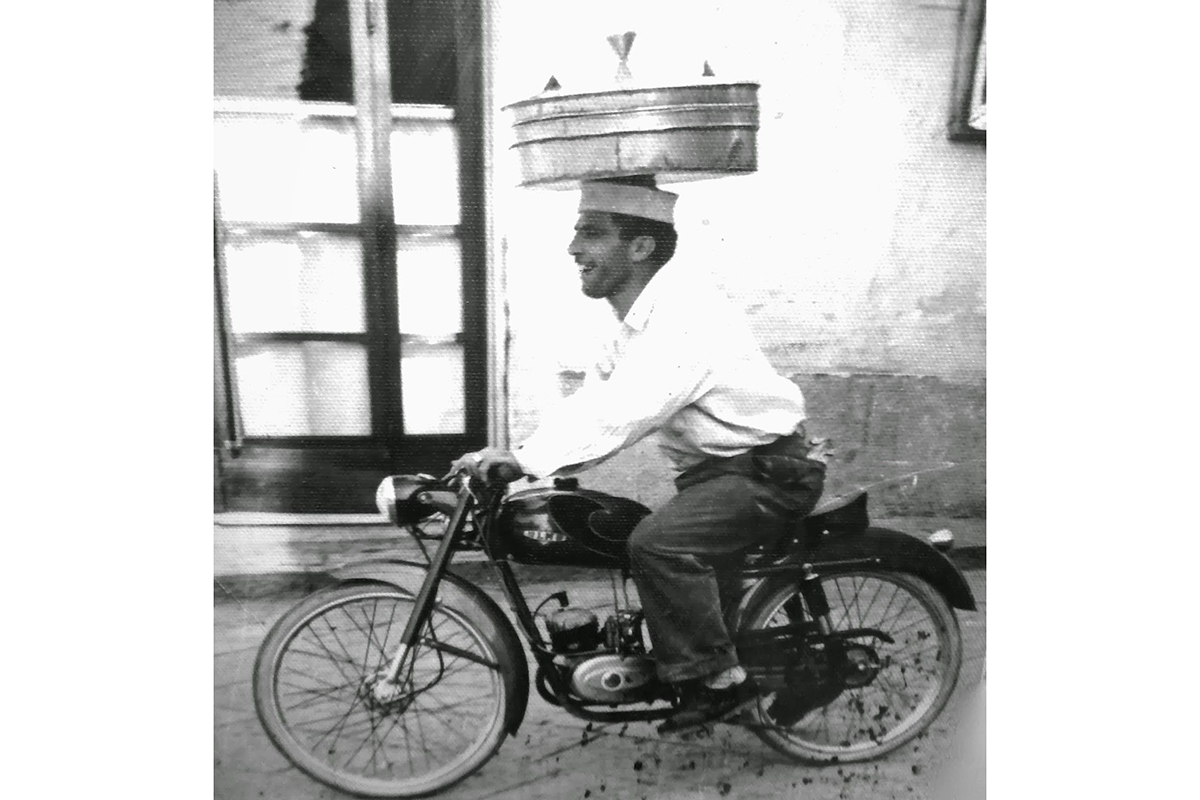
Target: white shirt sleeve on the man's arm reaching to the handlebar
x,y
659,374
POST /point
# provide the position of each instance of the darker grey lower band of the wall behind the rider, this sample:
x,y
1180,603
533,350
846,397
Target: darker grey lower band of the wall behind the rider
x,y
917,444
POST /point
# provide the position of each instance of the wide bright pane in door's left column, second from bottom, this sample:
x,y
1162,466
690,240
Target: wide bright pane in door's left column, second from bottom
x,y
301,284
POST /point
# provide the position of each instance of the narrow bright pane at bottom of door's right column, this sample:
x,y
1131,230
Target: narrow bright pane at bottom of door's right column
x,y
433,388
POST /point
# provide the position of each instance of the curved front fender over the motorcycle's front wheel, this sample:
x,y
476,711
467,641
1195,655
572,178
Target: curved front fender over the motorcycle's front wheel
x,y
463,596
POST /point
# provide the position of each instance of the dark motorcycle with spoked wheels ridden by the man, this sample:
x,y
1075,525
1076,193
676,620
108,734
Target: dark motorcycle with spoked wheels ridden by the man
x,y
405,678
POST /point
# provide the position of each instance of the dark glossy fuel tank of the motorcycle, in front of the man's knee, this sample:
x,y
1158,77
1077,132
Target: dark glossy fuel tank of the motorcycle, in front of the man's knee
x,y
567,526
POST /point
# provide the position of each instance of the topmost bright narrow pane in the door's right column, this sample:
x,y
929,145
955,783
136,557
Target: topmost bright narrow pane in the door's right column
x,y
425,172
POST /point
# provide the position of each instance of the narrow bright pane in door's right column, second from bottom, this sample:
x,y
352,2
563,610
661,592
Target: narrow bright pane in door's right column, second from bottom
x,y
429,288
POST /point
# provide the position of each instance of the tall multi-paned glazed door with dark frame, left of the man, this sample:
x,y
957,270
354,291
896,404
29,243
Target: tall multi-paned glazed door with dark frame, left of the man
x,y
350,275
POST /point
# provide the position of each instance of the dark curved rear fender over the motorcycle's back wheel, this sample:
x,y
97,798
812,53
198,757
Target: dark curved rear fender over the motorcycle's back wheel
x,y
874,549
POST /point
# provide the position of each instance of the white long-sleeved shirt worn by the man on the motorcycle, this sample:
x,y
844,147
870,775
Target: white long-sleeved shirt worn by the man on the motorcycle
x,y
683,363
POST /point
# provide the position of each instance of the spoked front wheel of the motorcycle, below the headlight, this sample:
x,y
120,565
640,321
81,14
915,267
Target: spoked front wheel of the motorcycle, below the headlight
x,y
314,694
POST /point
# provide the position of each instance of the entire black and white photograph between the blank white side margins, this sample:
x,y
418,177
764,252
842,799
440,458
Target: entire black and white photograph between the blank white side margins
x,y
599,400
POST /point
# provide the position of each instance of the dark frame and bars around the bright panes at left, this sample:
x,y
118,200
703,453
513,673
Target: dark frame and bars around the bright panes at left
x,y
245,461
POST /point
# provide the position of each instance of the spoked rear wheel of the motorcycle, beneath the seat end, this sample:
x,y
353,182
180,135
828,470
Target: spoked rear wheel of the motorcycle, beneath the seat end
x,y
907,683
